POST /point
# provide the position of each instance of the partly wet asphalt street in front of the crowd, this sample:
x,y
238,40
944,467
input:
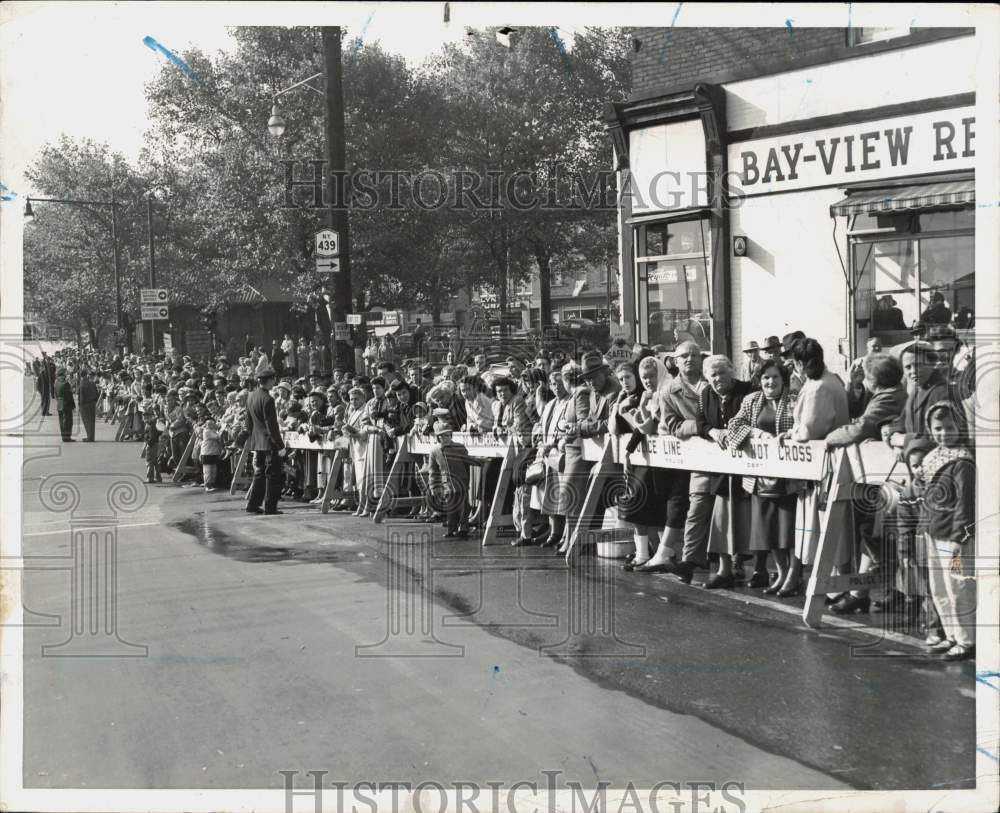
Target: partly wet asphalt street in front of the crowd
x,y
242,646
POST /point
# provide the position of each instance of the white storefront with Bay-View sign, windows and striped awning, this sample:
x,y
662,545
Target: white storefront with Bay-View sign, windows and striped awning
x,y
836,199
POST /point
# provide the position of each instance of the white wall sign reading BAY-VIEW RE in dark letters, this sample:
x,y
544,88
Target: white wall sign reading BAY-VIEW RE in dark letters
x,y
907,145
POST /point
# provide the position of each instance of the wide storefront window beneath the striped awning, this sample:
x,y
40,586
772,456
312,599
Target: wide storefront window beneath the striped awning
x,y
913,270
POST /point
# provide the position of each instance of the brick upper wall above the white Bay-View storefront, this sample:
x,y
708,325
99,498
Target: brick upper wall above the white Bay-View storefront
x,y
676,58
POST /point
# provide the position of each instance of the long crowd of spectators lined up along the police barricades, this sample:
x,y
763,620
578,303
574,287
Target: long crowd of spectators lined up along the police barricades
x,y
917,399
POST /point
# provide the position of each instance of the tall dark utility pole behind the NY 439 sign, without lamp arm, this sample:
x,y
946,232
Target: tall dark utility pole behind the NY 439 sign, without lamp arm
x,y
338,189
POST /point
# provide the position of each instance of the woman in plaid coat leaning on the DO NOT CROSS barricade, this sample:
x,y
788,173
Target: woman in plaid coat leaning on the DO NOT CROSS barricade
x,y
765,414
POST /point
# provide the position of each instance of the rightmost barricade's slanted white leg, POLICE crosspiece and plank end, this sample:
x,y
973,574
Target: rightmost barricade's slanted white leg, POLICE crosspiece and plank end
x,y
869,464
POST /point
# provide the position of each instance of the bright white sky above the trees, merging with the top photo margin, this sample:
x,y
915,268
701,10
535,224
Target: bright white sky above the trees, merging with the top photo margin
x,y
80,67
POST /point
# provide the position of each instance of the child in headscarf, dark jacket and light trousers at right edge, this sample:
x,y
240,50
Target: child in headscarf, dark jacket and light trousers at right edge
x,y
945,485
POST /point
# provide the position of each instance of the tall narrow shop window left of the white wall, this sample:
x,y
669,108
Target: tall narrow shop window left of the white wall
x,y
674,270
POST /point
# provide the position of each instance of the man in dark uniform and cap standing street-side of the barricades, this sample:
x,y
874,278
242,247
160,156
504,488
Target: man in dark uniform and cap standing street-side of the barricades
x,y
261,427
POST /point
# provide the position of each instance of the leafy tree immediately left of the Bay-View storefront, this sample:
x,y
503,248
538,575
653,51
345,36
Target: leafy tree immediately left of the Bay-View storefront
x,y
520,113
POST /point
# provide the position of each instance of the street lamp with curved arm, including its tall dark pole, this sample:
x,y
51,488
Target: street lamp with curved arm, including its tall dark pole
x,y
333,94
